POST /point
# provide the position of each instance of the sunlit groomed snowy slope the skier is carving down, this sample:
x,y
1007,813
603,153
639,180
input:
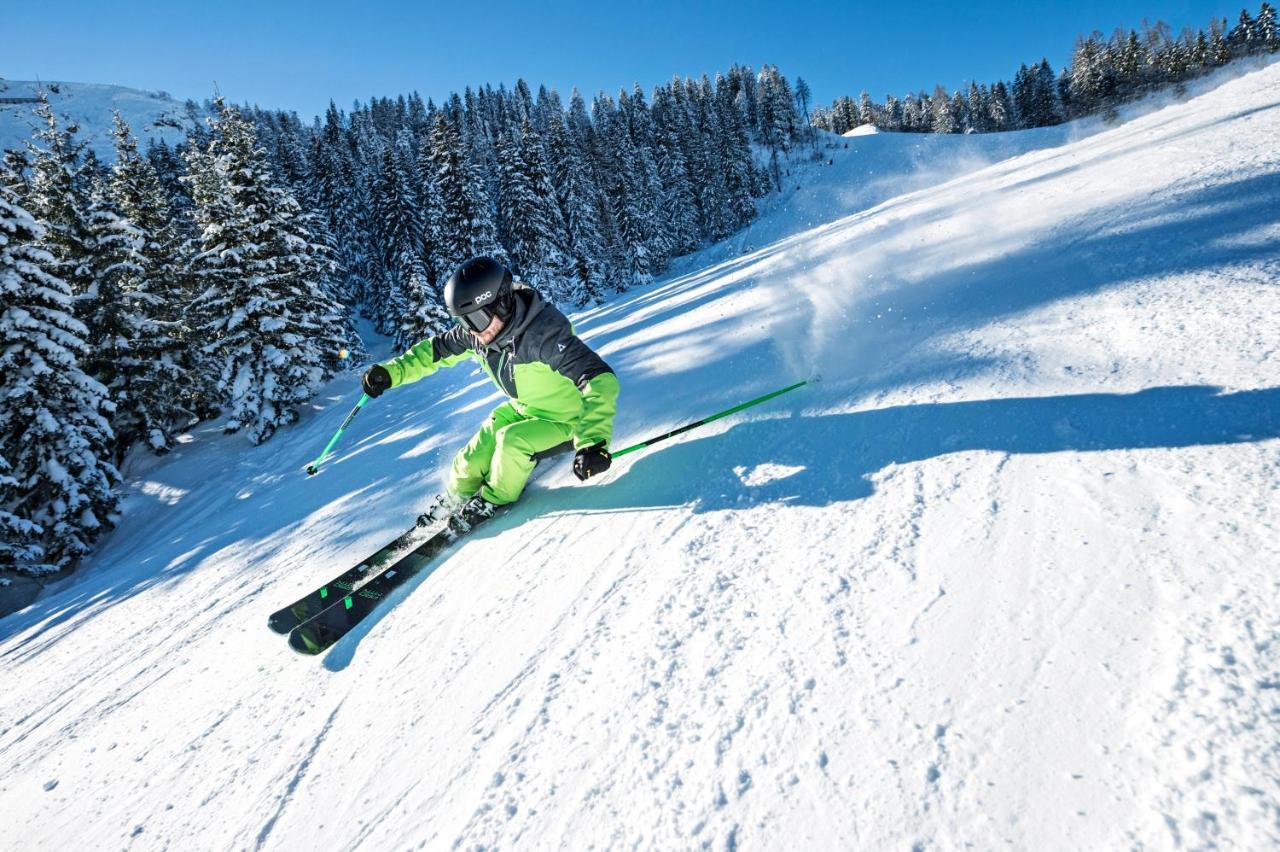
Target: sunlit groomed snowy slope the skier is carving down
x,y
1007,576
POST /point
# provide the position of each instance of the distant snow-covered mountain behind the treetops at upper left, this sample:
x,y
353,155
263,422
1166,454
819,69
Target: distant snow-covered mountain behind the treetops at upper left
x,y
152,116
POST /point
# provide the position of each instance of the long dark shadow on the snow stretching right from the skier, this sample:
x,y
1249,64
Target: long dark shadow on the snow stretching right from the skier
x,y
824,460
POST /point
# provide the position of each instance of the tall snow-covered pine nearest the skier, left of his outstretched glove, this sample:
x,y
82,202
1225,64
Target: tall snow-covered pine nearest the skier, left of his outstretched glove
x,y
273,335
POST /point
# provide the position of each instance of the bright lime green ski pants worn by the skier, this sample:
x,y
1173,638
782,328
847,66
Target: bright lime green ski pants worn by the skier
x,y
499,460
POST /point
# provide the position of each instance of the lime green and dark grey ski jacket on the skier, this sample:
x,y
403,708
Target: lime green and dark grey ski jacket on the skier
x,y
538,361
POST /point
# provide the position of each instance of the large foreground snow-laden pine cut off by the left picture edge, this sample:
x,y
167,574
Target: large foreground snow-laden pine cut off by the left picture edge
x,y
57,484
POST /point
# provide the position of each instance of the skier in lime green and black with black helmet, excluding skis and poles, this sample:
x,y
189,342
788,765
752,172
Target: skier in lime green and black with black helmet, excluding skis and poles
x,y
560,391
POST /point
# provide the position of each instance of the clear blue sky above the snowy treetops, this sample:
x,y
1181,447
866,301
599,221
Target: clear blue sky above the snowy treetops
x,y
298,56
